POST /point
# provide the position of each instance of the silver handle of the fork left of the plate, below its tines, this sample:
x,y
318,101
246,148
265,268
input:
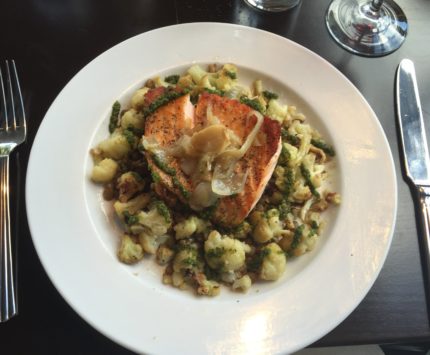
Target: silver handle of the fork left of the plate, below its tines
x,y
8,301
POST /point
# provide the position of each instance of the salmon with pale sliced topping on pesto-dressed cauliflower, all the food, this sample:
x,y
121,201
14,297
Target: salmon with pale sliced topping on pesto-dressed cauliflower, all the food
x,y
221,182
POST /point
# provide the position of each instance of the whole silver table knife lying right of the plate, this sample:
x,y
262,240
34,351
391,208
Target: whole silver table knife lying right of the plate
x,y
415,151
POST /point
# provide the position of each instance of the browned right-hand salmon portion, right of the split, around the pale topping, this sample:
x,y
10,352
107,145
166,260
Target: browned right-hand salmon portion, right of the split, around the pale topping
x,y
260,160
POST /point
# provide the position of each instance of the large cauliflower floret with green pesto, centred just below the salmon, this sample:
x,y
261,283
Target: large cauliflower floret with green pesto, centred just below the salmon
x,y
224,253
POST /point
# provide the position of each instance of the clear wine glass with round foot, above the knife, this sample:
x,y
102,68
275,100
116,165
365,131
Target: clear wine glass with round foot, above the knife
x,y
367,27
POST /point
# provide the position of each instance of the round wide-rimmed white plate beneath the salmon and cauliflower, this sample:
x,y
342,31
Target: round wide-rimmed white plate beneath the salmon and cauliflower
x,y
77,245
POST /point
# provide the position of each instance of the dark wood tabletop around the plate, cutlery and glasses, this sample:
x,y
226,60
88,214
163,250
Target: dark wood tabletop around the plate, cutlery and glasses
x,y
52,40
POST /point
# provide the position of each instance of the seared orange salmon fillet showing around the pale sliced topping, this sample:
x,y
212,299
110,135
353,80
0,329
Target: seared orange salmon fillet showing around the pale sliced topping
x,y
168,124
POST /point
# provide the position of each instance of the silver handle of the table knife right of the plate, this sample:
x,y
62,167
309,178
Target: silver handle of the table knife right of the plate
x,y
424,202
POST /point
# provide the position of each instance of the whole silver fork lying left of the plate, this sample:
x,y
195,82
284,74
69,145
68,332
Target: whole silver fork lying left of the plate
x,y
13,131
